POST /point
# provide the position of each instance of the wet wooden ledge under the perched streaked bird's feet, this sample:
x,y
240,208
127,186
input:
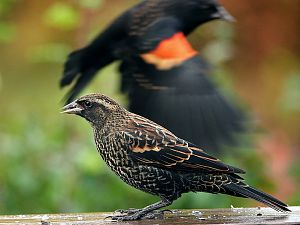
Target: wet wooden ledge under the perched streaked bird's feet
x,y
205,216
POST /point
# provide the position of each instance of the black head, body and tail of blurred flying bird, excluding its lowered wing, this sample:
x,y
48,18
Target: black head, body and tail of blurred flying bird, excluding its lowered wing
x,y
138,30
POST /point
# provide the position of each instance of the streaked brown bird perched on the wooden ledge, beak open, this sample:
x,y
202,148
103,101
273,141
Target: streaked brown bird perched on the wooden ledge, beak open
x,y
150,158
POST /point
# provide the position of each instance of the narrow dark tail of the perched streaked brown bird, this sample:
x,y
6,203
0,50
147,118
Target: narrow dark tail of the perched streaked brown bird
x,y
243,190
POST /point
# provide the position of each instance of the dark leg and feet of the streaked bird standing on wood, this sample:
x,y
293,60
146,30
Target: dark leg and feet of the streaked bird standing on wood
x,y
139,214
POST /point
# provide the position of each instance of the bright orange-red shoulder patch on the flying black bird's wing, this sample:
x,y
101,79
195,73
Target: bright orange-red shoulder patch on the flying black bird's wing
x,y
170,52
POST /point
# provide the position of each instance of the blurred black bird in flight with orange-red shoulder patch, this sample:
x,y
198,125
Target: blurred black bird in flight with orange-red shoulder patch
x,y
161,72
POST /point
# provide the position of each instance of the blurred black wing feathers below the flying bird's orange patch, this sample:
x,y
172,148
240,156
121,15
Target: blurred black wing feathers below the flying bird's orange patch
x,y
184,100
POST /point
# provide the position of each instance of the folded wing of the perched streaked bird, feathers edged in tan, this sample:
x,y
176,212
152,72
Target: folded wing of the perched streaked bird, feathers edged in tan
x,y
151,144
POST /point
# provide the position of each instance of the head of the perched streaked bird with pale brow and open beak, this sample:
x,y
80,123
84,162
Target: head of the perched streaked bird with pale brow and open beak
x,y
95,108
